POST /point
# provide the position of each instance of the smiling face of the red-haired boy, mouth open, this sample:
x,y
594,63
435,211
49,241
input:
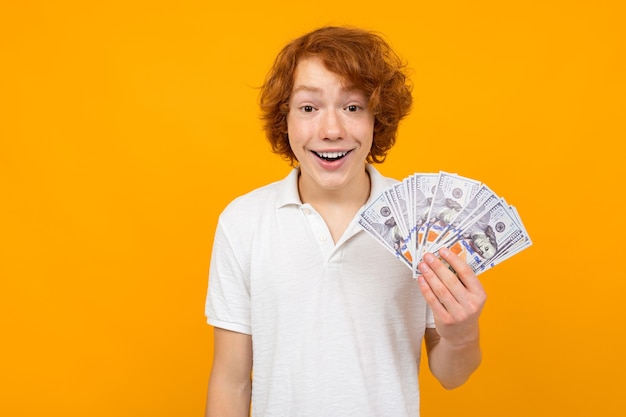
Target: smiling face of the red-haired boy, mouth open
x,y
330,130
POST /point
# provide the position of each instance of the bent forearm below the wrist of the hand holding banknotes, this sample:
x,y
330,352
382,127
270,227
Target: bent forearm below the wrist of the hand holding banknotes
x,y
453,364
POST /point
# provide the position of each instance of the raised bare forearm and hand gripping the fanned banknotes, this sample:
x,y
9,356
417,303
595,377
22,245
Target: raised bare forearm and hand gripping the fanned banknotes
x,y
456,300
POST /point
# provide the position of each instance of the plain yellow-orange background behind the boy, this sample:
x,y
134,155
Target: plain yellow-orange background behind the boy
x,y
126,127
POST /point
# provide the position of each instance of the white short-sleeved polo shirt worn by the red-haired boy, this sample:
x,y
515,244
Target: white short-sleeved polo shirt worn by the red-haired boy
x,y
336,328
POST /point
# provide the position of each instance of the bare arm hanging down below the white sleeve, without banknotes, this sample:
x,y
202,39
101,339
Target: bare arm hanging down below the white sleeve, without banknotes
x,y
230,384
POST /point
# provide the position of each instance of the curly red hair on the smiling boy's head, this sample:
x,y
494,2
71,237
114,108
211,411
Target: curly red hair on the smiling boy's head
x,y
364,59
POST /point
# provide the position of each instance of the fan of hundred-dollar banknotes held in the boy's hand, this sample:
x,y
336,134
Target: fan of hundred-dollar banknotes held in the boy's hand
x,y
425,212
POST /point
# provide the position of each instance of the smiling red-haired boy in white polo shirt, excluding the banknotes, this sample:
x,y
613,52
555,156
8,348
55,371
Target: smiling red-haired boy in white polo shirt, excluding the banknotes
x,y
332,322
